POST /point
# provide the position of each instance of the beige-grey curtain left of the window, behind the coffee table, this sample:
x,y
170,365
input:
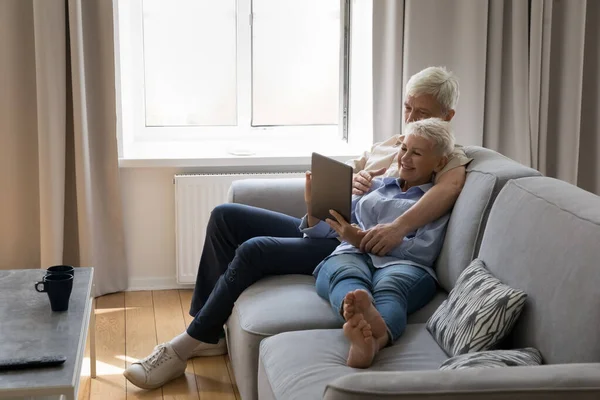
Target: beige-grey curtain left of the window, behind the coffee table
x,y
60,200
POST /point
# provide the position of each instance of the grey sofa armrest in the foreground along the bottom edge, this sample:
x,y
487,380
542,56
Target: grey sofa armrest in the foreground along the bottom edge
x,y
548,382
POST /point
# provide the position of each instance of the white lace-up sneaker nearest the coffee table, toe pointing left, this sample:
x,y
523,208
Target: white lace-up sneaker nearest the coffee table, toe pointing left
x,y
157,369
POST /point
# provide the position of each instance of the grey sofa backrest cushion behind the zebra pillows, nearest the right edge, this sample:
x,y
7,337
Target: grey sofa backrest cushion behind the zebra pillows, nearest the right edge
x,y
543,237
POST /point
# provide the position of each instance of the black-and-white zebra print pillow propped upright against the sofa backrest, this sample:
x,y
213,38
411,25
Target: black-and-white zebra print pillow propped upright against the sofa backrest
x,y
478,313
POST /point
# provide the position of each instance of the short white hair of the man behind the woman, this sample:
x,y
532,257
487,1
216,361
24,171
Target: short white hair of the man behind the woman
x,y
439,83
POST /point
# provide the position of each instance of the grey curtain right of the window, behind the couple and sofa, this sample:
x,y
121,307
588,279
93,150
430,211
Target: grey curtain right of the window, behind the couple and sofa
x,y
528,70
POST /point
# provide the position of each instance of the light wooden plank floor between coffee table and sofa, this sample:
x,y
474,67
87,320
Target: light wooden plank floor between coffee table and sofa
x,y
128,326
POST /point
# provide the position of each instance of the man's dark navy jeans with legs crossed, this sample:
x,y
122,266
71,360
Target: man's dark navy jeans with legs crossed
x,y
244,244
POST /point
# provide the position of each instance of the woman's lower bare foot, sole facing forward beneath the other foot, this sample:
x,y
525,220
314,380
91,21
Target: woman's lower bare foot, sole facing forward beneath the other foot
x,y
362,344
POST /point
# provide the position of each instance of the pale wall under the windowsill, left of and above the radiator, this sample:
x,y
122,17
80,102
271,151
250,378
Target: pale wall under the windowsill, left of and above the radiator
x,y
149,218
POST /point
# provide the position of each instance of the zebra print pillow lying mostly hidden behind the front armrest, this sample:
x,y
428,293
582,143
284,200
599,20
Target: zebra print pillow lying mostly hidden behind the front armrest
x,y
495,358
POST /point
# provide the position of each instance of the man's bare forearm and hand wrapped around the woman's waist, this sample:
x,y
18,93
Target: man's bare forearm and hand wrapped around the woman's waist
x,y
438,201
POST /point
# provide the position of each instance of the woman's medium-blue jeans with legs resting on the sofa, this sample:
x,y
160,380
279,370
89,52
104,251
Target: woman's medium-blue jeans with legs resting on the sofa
x,y
397,290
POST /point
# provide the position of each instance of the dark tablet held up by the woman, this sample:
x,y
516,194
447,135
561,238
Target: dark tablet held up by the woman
x,y
331,187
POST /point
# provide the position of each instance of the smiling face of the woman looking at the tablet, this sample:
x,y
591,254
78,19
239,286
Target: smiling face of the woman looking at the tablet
x,y
418,160
